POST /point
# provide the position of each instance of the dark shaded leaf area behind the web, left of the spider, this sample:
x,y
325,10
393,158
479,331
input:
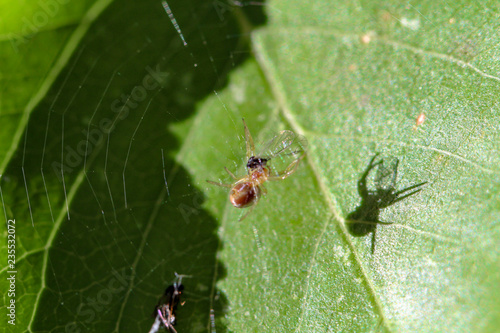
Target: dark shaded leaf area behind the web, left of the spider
x,y
105,214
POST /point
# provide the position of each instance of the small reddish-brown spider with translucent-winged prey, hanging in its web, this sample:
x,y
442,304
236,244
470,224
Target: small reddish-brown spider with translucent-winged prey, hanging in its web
x,y
285,149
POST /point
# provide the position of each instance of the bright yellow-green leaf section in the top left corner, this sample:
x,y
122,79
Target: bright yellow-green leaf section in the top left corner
x,y
52,26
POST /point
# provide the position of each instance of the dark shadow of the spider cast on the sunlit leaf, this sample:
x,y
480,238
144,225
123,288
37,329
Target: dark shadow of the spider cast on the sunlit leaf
x,y
365,218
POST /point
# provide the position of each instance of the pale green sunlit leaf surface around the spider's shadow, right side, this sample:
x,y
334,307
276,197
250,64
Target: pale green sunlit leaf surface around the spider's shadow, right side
x,y
353,78
